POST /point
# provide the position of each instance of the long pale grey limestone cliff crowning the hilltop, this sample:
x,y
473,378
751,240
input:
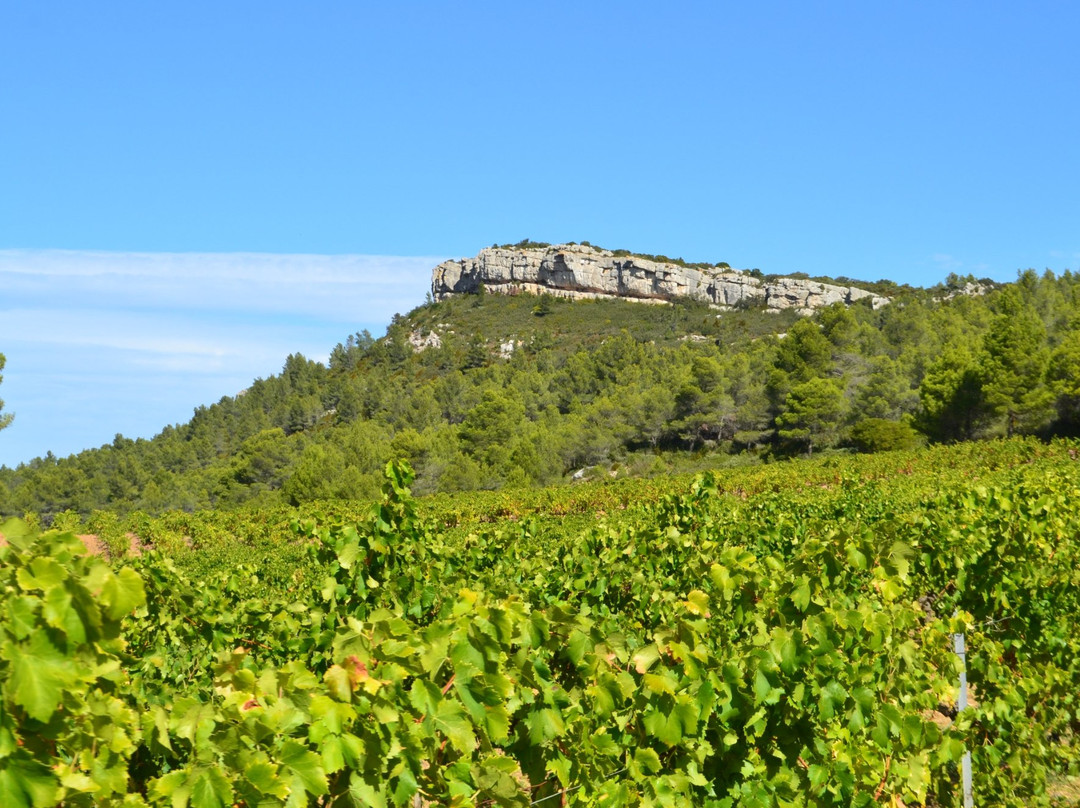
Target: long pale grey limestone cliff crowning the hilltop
x,y
577,272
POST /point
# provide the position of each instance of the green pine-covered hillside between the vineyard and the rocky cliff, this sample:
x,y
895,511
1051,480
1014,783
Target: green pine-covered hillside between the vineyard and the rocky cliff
x,y
521,392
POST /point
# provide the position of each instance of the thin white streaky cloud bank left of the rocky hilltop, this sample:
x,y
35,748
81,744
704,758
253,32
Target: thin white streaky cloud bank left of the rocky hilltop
x,y
106,343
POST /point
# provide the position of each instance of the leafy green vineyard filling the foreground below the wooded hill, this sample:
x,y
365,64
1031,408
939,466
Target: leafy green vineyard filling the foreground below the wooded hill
x,y
773,637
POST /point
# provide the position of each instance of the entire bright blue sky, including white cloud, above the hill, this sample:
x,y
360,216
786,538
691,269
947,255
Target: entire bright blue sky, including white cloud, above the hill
x,y
902,141
